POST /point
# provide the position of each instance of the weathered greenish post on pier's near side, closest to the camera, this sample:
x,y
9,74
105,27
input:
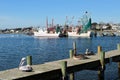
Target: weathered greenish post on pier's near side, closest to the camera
x,y
64,70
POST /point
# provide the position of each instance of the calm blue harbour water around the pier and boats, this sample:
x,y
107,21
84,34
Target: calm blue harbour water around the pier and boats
x,y
15,46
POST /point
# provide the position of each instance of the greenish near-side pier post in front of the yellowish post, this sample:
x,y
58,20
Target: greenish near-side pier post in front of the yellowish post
x,y
102,67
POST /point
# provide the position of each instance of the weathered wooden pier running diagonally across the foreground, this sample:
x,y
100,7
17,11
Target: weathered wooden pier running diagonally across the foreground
x,y
52,70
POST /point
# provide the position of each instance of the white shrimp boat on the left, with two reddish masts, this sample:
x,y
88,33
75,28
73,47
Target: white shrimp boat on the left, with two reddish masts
x,y
52,31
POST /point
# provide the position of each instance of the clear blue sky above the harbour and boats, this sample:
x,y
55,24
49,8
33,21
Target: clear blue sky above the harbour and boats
x,y
25,13
